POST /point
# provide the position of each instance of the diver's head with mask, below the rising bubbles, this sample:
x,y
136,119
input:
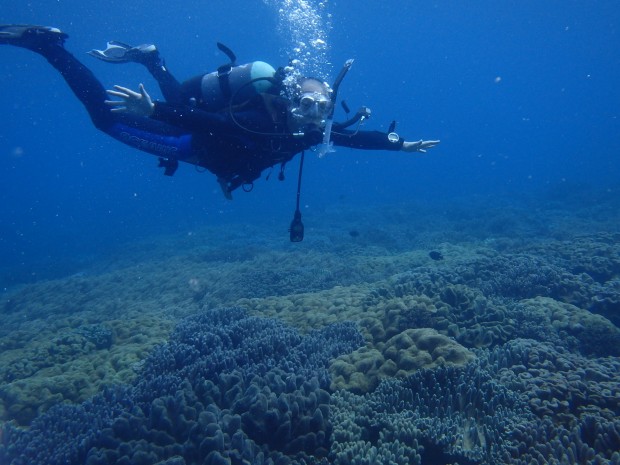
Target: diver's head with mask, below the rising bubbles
x,y
312,103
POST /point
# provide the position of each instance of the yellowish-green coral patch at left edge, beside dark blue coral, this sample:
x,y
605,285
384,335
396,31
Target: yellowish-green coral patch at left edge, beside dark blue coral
x,y
72,363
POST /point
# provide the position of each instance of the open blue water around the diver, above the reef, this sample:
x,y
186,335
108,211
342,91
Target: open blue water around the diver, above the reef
x,y
523,95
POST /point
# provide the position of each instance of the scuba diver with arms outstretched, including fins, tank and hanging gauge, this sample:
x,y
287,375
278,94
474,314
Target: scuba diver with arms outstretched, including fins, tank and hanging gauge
x,y
235,122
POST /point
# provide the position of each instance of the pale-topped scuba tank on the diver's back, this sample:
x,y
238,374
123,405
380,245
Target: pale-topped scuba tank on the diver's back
x,y
243,81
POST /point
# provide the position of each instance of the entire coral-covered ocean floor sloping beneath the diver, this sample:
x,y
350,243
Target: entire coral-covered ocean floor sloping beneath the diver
x,y
483,332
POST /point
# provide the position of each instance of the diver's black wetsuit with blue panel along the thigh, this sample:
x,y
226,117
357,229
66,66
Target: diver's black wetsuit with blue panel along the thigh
x,y
235,149
